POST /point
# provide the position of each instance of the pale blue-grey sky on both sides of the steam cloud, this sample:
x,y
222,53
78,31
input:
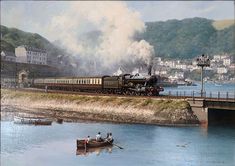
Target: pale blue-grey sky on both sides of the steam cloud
x,y
35,17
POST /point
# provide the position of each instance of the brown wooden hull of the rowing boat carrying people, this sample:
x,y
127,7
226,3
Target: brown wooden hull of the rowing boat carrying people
x,y
92,144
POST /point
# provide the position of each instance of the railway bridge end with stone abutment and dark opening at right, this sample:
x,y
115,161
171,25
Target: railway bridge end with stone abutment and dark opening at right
x,y
213,110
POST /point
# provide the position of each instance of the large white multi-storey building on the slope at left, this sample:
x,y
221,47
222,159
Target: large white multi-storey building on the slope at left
x,y
25,54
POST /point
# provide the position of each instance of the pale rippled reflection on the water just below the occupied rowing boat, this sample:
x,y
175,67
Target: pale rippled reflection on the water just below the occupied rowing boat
x,y
97,151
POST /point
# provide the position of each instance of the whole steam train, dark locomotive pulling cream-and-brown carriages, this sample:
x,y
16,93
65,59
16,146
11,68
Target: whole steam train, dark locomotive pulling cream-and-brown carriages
x,y
125,84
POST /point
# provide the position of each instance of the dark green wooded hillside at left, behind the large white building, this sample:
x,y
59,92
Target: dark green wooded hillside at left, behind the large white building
x,y
58,57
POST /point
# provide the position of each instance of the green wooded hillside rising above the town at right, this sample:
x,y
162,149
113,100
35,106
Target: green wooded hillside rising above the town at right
x,y
188,38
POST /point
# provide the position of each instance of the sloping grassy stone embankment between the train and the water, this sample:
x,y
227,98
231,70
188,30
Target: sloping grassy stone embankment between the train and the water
x,y
99,108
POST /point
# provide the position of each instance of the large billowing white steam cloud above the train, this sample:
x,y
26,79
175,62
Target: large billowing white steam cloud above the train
x,y
114,43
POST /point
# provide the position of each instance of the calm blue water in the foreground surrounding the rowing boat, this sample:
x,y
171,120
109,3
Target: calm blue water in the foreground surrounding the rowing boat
x,y
144,145
